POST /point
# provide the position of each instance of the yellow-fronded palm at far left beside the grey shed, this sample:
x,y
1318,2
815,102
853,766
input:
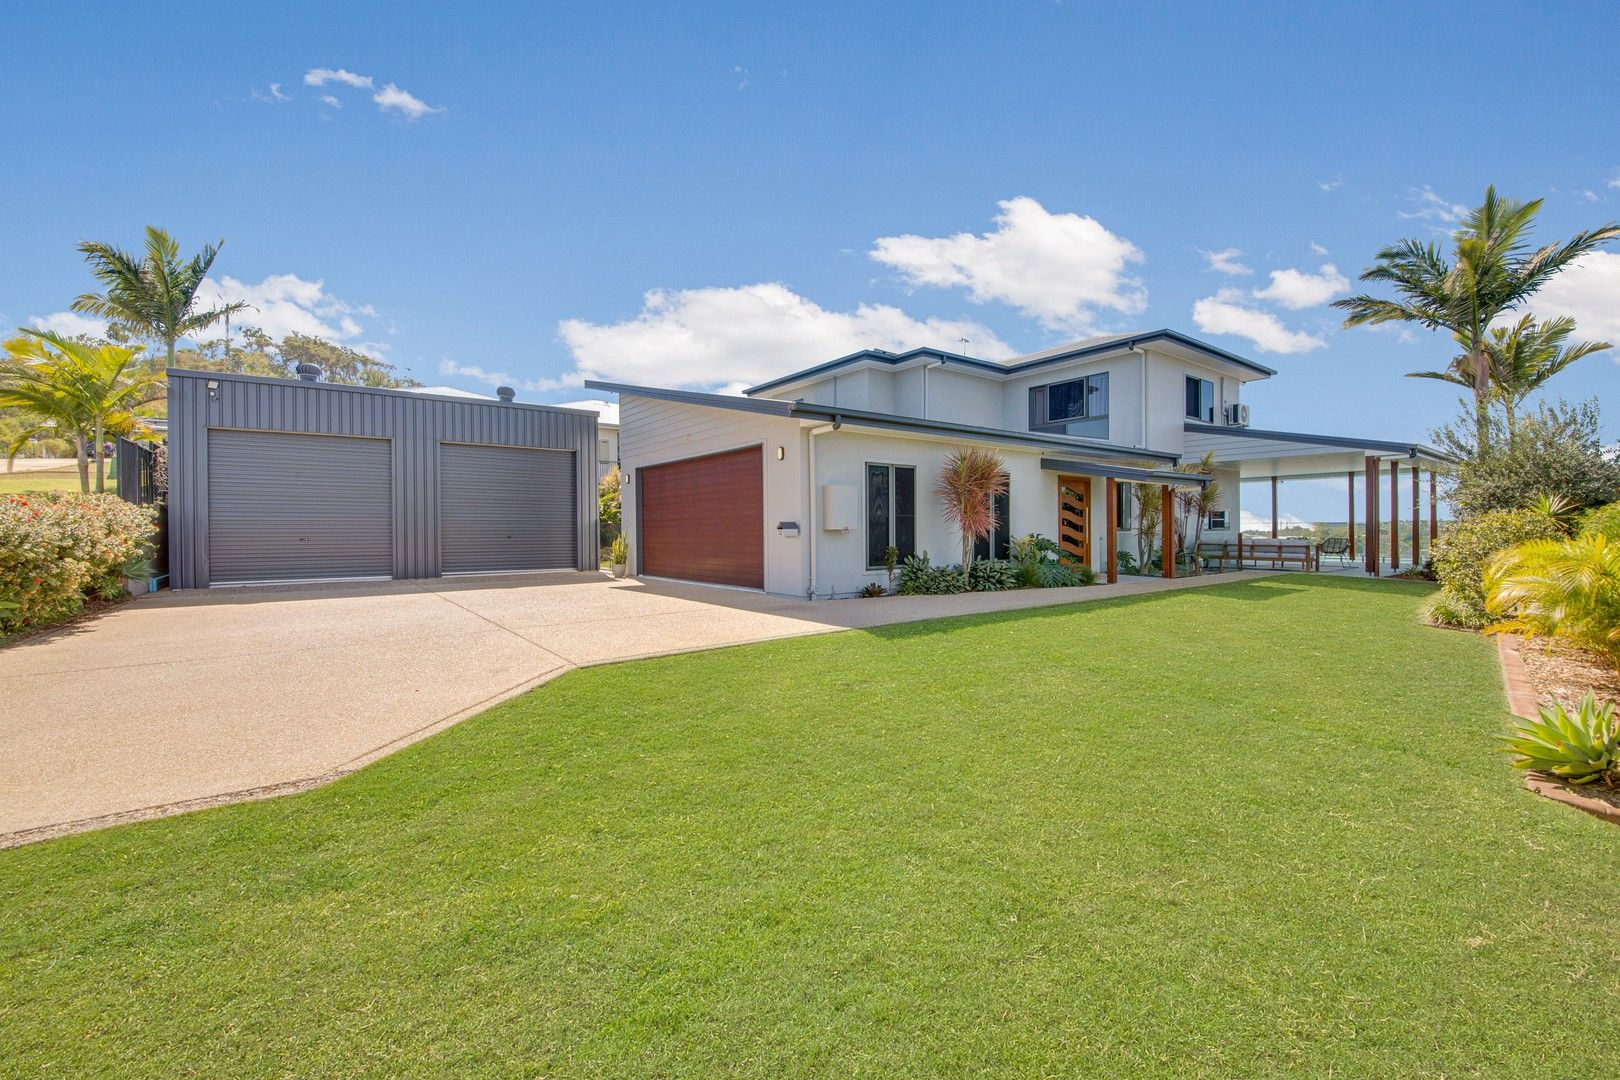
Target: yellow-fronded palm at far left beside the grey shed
x,y
87,389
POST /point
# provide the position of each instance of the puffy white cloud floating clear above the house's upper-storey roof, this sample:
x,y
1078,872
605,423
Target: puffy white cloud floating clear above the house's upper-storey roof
x,y
1054,268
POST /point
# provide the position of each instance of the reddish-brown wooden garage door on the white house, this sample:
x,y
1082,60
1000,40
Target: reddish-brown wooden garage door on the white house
x,y
704,519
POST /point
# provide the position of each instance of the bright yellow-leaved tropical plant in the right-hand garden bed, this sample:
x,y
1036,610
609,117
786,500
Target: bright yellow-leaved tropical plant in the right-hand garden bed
x,y
1561,589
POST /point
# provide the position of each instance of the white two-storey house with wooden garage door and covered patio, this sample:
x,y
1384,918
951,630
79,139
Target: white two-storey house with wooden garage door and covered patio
x,y
803,485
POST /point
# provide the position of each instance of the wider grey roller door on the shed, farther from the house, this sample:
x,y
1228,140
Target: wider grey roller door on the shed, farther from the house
x,y
286,508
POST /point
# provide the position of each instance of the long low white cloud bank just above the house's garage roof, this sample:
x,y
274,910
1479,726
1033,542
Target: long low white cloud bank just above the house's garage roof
x,y
735,338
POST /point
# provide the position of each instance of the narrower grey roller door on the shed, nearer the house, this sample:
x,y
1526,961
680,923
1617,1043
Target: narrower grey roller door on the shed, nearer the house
x,y
506,509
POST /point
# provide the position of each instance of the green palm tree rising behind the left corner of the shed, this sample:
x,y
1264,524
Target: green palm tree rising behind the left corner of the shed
x,y
153,297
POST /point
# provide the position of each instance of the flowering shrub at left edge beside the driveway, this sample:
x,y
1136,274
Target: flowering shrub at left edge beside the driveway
x,y
58,548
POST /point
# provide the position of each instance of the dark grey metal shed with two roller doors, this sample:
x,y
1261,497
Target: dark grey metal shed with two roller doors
x,y
294,480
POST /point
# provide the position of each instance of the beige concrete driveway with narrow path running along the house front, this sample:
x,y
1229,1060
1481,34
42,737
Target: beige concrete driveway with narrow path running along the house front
x,y
185,700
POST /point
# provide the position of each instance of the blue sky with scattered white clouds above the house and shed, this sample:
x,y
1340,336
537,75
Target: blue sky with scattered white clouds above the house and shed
x,y
709,198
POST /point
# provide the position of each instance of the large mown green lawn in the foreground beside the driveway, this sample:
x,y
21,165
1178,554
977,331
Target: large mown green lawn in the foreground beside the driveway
x,y
1242,831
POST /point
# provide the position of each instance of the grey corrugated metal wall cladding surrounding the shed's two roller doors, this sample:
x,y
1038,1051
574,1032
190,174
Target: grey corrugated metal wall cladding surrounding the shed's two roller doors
x,y
414,423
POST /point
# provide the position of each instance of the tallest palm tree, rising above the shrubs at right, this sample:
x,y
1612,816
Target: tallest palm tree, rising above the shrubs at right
x,y
1491,271
